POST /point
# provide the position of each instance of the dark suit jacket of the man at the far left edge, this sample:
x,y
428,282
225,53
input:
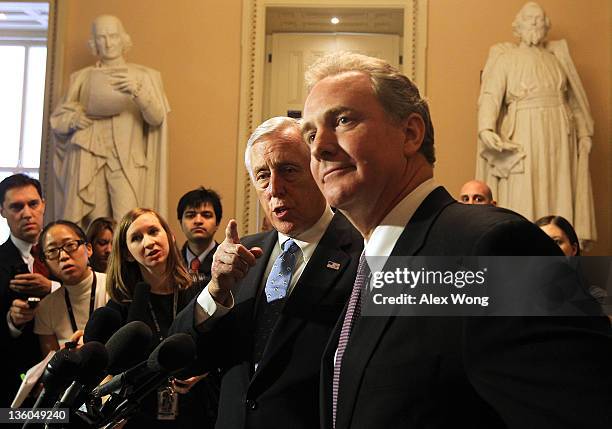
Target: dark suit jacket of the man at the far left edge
x,y
24,351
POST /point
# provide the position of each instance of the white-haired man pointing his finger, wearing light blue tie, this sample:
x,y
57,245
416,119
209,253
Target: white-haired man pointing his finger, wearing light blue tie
x,y
290,285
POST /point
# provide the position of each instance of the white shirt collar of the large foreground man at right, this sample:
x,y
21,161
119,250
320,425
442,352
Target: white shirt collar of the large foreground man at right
x,y
385,235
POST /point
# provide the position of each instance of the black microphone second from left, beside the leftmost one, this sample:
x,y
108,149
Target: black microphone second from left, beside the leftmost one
x,y
94,360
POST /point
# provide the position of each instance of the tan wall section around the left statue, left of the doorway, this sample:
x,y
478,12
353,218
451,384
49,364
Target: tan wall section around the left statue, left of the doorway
x,y
195,44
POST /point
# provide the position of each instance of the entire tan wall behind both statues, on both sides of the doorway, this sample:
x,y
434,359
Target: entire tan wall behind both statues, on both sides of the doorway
x,y
195,44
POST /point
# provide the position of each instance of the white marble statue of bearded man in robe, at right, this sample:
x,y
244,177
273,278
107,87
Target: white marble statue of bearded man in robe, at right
x,y
535,127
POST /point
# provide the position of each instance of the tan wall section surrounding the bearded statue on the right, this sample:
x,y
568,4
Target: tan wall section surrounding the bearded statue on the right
x,y
460,33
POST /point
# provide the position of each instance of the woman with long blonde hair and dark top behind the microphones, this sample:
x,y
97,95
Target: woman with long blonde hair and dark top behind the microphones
x,y
144,251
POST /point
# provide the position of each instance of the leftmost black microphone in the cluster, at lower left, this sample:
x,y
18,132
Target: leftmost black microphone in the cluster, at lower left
x,y
59,373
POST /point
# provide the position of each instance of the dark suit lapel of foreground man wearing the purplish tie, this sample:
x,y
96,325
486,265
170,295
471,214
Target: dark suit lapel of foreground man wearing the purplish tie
x,y
367,332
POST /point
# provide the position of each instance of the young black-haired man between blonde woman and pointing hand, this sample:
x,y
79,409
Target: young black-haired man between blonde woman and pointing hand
x,y
199,211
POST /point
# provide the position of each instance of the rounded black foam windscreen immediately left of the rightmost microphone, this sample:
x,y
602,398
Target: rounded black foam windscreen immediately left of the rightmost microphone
x,y
128,346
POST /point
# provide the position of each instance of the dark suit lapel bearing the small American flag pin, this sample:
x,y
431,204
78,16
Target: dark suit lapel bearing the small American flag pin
x,y
313,286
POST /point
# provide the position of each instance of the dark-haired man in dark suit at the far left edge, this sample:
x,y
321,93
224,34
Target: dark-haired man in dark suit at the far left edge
x,y
22,274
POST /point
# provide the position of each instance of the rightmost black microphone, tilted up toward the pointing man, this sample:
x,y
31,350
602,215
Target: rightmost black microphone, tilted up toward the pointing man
x,y
170,356
